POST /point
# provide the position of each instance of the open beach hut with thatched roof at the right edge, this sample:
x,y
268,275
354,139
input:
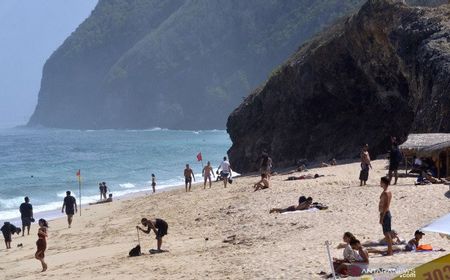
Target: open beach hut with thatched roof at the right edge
x,y
429,145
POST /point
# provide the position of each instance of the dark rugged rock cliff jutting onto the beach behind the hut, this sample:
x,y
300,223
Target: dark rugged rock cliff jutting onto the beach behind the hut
x,y
383,71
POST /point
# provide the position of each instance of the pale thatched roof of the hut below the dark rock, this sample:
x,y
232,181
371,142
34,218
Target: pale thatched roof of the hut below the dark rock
x,y
426,144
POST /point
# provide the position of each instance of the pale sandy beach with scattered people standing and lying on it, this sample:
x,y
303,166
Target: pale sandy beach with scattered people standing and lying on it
x,y
266,246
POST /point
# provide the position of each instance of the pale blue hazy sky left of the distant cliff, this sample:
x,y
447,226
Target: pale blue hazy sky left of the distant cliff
x,y
30,30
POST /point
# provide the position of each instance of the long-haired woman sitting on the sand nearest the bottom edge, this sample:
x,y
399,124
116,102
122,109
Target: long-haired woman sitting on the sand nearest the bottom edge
x,y
361,262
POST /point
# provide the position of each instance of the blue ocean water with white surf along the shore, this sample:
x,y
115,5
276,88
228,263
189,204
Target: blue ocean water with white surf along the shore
x,y
42,163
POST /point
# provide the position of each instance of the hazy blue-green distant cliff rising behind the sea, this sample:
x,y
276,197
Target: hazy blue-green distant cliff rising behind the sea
x,y
175,63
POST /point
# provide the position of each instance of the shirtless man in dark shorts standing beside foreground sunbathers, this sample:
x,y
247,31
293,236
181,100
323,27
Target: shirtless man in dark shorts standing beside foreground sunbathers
x,y
385,214
